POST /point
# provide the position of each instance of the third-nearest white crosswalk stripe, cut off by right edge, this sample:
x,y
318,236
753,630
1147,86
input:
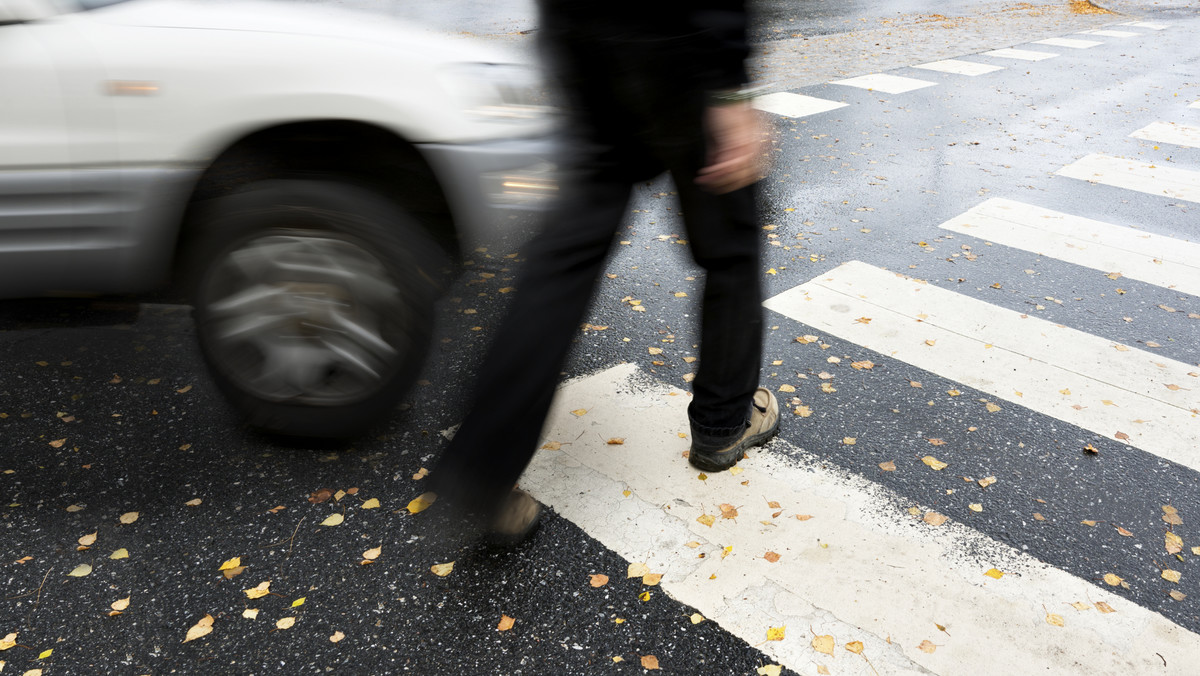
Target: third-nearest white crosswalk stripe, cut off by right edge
x,y
1157,260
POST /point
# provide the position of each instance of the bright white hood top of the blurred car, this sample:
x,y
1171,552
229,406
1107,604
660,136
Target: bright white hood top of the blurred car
x,y
315,20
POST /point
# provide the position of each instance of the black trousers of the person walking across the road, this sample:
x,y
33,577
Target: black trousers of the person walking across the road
x,y
631,124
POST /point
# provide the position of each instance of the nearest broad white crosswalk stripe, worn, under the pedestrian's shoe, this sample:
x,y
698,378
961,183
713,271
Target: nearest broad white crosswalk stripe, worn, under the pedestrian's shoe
x,y
860,570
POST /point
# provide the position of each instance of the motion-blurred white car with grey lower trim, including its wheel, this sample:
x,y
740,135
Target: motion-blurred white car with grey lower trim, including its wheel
x,y
309,171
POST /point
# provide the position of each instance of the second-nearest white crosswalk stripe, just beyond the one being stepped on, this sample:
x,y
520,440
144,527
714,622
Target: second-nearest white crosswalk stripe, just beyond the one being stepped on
x,y
1036,364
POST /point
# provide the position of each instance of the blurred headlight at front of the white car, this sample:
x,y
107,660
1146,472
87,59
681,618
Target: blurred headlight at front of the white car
x,y
497,92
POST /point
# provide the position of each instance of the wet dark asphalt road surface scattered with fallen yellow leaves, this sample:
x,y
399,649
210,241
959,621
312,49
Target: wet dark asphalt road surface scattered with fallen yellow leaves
x,y
112,427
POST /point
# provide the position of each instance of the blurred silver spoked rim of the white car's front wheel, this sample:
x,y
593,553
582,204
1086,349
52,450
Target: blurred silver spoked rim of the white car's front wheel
x,y
305,318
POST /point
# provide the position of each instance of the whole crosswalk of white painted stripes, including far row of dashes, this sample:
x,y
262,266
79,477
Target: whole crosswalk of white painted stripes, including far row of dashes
x,y
788,551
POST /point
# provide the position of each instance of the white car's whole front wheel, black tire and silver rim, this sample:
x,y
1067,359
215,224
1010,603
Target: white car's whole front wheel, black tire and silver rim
x,y
314,304
